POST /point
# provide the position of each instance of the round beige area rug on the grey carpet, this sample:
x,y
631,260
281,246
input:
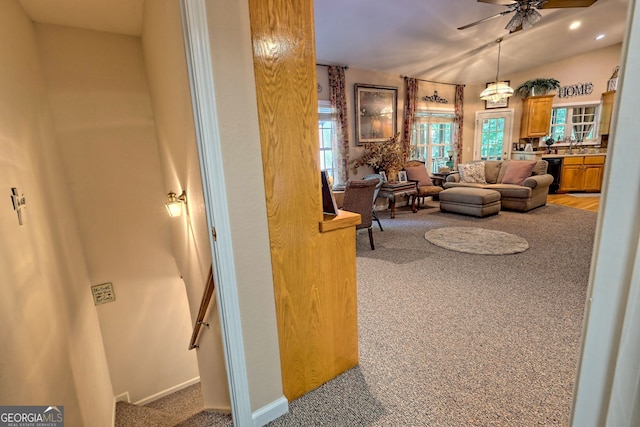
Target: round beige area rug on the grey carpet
x,y
479,241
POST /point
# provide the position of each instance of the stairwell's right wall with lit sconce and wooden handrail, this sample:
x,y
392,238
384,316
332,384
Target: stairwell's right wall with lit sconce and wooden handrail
x,y
171,100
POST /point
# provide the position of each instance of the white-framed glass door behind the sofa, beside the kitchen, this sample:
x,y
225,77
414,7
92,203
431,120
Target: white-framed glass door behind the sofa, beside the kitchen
x,y
493,135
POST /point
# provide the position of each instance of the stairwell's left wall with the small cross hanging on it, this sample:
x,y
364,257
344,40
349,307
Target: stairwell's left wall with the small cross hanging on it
x,y
51,352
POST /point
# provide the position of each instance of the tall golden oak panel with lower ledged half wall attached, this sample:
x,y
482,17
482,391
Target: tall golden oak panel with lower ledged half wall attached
x,y
313,272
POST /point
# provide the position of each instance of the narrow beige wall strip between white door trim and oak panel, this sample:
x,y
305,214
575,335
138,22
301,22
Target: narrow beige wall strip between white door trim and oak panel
x,y
232,61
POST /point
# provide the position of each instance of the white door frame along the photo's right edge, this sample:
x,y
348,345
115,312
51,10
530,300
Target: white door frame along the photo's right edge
x,y
607,390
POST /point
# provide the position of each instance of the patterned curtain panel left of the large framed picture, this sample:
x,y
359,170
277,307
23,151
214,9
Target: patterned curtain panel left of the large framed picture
x,y
338,97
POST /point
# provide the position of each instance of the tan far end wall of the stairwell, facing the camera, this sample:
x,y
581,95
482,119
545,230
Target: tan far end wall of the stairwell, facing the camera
x,y
99,95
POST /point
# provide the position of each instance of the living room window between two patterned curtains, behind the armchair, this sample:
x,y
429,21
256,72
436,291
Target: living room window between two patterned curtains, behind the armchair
x,y
432,138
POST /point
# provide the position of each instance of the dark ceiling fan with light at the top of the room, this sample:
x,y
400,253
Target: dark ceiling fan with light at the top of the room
x,y
526,11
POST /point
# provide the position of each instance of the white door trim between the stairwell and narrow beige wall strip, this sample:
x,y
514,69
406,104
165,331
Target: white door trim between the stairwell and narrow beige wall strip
x,y
196,33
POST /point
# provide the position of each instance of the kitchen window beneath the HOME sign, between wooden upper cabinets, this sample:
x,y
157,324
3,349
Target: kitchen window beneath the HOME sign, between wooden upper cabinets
x,y
577,122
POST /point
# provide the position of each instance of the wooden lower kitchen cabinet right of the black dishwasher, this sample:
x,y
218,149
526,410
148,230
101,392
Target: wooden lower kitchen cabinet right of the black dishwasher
x,y
581,173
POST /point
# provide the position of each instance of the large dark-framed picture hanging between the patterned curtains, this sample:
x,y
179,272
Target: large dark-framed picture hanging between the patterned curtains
x,y
376,113
